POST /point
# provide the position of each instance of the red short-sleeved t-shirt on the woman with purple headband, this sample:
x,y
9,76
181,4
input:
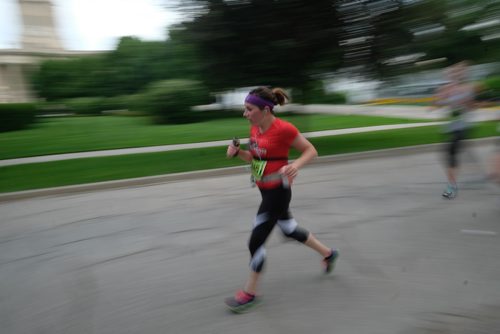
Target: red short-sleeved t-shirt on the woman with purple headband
x,y
272,146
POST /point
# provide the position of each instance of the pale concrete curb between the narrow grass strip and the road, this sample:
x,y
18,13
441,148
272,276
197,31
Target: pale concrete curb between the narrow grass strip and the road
x,y
177,177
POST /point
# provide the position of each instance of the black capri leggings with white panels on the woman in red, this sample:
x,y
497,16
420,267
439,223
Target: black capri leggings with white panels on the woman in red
x,y
274,209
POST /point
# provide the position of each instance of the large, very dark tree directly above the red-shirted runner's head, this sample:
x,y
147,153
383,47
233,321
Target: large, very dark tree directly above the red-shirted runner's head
x,y
246,43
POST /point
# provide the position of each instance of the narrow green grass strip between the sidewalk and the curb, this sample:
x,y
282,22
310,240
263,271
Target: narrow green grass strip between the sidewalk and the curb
x,y
78,171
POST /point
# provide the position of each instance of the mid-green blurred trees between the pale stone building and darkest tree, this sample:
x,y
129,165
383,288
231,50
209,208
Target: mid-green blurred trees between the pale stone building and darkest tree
x,y
127,70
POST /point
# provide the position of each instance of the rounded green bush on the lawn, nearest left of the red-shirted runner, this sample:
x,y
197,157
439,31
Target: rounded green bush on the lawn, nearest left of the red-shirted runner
x,y
171,101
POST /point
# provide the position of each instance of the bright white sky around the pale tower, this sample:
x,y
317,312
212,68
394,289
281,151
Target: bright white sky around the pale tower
x,y
94,24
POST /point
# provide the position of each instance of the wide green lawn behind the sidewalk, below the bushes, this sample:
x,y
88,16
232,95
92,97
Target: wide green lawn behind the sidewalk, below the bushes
x,y
79,134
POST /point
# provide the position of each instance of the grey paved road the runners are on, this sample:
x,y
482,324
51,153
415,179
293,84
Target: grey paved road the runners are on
x,y
160,259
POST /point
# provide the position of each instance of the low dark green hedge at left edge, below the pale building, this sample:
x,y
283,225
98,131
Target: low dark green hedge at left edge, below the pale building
x,y
16,116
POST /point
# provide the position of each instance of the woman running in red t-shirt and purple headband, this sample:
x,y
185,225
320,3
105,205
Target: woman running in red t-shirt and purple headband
x,y
270,141
